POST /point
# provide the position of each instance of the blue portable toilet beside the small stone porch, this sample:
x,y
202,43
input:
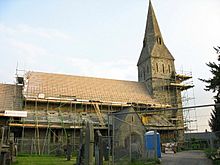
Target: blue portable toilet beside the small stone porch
x,y
152,143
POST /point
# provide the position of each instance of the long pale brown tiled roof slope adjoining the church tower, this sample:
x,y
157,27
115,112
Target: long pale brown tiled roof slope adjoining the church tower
x,y
88,88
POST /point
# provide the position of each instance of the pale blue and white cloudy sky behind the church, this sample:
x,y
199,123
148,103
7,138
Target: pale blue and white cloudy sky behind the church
x,y
100,38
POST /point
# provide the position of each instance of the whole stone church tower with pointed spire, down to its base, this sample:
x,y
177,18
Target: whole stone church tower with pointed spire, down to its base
x,y
157,70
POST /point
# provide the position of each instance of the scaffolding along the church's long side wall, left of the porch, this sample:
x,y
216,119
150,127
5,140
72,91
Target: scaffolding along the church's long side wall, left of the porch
x,y
53,119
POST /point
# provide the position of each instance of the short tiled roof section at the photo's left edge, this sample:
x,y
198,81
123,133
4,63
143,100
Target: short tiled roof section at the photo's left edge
x,y
10,97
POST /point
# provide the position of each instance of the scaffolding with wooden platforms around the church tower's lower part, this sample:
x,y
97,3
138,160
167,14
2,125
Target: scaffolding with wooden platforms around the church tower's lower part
x,y
175,90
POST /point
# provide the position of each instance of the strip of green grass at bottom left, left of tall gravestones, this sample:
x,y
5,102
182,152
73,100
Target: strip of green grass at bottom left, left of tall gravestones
x,y
43,160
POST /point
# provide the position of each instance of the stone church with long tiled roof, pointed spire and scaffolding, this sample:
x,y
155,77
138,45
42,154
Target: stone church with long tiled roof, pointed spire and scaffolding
x,y
57,104
